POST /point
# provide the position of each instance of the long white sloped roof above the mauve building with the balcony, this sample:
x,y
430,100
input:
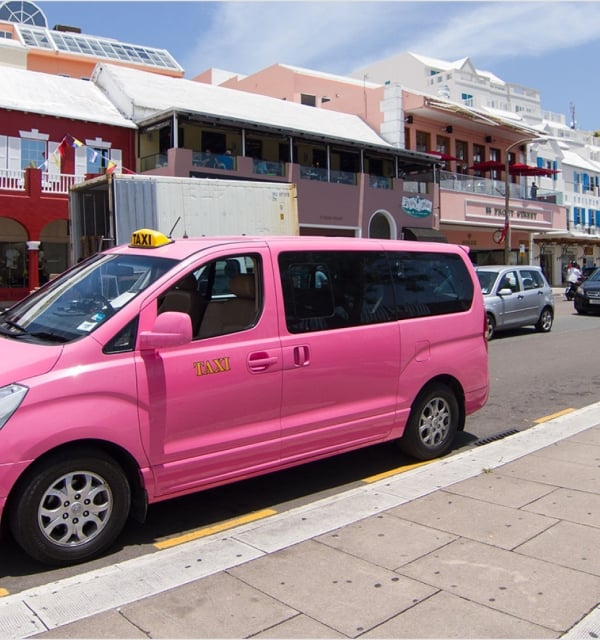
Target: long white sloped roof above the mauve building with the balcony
x,y
140,95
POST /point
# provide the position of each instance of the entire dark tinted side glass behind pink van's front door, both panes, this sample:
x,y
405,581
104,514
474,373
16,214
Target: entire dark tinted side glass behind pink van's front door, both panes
x,y
325,290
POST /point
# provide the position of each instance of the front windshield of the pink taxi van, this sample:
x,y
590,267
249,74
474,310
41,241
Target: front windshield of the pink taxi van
x,y
81,299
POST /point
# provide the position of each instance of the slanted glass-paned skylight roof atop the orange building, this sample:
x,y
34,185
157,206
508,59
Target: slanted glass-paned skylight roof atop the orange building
x,y
106,48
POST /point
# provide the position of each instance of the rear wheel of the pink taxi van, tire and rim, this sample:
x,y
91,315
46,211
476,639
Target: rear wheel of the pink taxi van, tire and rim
x,y
432,424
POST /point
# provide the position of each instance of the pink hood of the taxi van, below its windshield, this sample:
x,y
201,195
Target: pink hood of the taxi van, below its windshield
x,y
21,360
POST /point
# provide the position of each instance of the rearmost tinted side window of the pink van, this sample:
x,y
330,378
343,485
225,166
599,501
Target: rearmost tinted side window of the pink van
x,y
428,284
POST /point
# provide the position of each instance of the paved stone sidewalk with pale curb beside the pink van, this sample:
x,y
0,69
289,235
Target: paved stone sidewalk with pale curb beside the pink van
x,y
498,541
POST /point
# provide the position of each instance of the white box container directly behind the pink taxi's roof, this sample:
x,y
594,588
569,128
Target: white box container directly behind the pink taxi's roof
x,y
104,211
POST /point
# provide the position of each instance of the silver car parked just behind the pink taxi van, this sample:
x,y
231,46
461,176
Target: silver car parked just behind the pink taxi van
x,y
516,296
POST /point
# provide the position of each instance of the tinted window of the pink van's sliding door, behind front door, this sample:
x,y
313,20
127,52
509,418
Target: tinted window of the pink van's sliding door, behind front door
x,y
334,289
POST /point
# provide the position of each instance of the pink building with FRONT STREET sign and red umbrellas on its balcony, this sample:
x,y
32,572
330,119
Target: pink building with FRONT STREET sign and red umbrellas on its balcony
x,y
472,147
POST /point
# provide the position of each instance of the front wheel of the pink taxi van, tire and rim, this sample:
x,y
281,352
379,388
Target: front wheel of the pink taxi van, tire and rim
x,y
70,507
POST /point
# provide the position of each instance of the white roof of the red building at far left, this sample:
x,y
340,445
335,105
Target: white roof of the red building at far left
x,y
48,94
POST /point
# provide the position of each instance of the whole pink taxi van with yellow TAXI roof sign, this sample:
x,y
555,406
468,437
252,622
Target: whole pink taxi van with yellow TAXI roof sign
x,y
163,367
